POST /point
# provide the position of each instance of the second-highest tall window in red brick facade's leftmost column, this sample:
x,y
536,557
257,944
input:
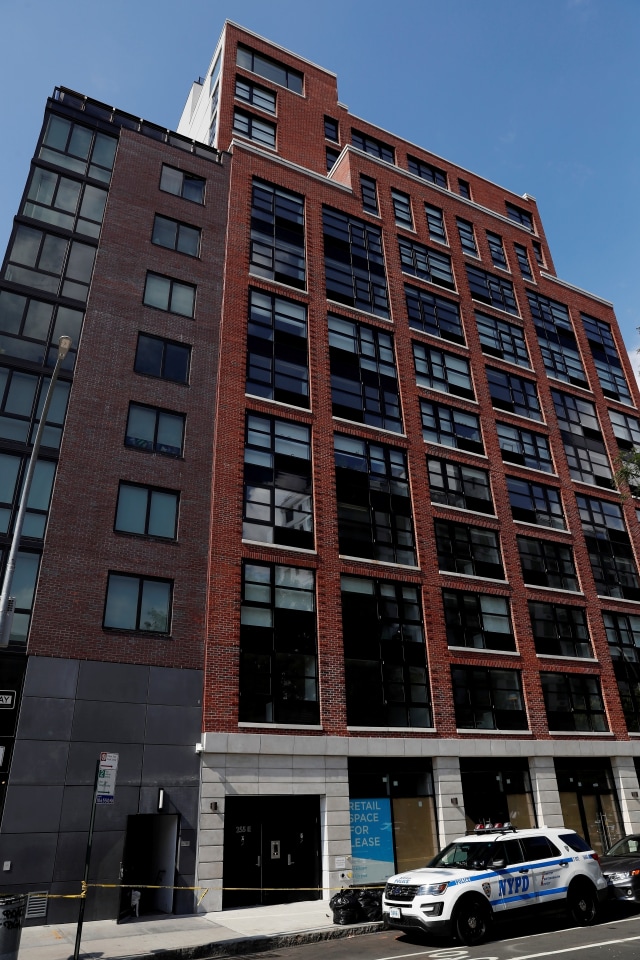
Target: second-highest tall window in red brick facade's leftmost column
x,y
277,349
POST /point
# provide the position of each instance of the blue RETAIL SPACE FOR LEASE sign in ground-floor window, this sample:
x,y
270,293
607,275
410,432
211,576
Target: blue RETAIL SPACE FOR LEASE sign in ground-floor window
x,y
371,840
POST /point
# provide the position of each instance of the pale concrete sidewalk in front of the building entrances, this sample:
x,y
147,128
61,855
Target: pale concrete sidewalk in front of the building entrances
x,y
230,933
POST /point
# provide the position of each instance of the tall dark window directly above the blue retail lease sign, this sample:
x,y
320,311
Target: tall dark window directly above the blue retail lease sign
x,y
385,654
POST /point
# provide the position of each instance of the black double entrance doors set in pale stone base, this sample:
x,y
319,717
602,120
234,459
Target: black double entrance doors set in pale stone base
x,y
271,850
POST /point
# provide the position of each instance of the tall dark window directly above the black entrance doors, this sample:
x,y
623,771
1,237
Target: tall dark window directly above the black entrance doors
x,y
278,645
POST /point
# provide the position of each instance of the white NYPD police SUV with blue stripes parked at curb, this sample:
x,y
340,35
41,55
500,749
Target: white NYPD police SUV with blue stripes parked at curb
x,y
486,875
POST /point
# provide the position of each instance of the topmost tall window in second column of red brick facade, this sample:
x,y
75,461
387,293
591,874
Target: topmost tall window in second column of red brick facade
x,y
354,262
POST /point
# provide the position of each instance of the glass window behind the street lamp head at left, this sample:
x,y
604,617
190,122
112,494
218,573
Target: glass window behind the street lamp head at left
x,y
30,329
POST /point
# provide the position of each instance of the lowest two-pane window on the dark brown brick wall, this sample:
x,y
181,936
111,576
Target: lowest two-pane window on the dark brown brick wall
x,y
138,603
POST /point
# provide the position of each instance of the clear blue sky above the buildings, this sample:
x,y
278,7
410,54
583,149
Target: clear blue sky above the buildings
x,y
541,96
